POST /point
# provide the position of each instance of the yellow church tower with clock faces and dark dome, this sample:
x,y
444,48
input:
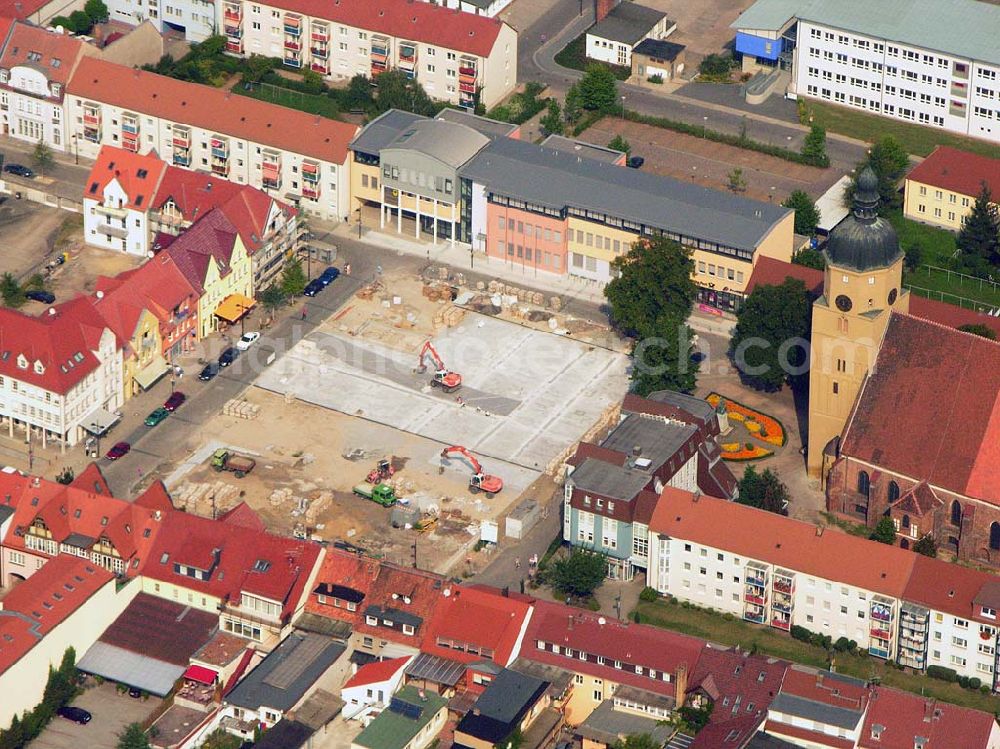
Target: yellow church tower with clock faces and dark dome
x,y
862,285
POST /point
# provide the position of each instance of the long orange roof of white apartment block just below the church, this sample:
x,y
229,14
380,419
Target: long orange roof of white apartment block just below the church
x,y
793,544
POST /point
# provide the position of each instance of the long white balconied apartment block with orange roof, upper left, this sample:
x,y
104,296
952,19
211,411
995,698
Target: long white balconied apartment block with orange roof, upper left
x,y
290,155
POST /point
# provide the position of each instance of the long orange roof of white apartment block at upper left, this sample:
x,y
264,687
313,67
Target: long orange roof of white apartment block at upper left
x,y
213,109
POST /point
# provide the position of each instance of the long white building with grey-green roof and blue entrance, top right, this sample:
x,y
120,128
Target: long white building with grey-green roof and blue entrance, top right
x,y
918,61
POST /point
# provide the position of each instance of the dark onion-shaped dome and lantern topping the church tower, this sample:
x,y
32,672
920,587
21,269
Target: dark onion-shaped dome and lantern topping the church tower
x,y
864,240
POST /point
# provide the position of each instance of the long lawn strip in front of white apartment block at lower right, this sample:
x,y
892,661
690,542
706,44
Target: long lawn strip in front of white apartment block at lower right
x,y
711,626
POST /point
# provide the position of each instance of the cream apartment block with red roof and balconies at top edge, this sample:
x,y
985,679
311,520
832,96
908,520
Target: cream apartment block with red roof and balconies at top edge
x,y
461,58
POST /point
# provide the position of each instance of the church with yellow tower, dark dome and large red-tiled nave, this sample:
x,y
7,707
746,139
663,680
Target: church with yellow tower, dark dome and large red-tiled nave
x,y
904,411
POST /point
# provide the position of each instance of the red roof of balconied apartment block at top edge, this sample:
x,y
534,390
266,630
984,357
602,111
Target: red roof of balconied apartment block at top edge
x,y
413,21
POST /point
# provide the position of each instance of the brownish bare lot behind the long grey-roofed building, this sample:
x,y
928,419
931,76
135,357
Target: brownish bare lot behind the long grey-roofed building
x,y
709,164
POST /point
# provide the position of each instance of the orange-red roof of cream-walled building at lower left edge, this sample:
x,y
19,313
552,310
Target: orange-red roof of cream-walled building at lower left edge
x,y
43,601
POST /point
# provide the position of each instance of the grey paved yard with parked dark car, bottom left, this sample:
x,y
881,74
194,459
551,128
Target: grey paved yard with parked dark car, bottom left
x,y
111,711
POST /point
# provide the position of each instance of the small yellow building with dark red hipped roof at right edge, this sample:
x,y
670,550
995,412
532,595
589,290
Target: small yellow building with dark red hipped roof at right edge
x,y
942,188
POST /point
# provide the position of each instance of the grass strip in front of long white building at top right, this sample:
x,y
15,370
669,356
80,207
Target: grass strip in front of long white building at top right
x,y
917,139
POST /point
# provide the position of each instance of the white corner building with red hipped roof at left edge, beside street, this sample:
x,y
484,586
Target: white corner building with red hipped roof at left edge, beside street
x,y
60,373
